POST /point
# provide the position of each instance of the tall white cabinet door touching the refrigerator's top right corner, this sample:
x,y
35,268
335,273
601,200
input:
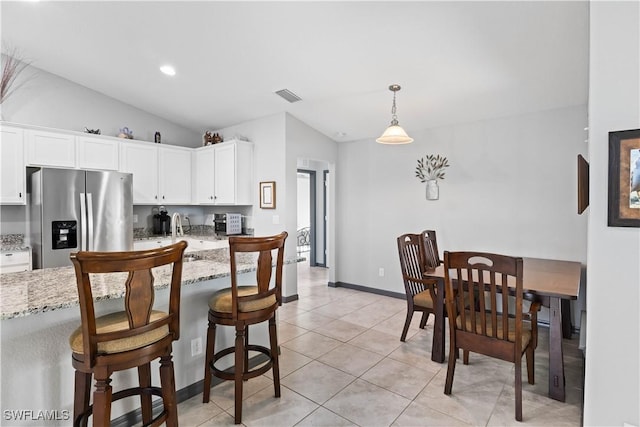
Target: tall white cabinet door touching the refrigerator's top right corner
x,y
141,160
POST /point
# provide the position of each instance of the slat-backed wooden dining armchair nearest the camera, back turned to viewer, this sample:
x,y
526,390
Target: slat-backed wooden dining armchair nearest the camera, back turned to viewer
x,y
494,327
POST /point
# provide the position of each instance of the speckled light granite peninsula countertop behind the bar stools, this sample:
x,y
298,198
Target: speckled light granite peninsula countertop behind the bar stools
x,y
39,291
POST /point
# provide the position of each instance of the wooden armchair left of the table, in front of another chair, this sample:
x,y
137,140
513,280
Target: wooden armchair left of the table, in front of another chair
x,y
420,292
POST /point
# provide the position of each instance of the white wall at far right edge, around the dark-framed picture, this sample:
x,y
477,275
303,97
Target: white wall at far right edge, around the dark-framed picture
x,y
612,357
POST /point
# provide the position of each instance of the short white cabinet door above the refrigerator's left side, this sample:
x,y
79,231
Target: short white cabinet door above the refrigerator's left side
x,y
50,149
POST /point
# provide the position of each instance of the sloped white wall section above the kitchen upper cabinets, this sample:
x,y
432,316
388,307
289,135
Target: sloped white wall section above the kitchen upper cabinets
x,y
44,99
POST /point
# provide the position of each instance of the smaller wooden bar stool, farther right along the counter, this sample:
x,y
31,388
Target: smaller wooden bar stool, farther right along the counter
x,y
241,306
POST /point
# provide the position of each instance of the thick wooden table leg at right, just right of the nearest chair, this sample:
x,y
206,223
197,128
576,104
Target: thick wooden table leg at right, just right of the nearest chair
x,y
556,362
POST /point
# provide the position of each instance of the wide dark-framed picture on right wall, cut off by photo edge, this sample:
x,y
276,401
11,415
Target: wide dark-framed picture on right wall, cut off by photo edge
x,y
624,179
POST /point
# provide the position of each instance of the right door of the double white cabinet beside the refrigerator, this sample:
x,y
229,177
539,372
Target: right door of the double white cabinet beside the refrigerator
x,y
174,175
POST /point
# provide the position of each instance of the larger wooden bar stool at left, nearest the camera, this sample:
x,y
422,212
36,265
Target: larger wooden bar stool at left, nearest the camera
x,y
131,338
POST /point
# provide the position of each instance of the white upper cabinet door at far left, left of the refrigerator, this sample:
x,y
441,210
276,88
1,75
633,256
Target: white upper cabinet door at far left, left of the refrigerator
x,y
12,176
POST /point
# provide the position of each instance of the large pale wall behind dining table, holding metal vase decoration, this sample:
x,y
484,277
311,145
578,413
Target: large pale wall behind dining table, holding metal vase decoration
x,y
511,188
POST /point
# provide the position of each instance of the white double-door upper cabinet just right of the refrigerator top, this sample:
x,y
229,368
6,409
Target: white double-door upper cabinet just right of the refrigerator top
x,y
161,174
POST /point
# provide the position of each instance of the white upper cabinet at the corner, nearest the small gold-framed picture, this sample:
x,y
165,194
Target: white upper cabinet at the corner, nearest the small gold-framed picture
x,y
223,173
